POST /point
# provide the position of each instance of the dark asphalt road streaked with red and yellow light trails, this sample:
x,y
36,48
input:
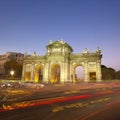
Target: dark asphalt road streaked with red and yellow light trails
x,y
87,104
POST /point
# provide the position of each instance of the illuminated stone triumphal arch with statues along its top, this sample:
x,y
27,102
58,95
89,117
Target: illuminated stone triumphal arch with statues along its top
x,y
59,63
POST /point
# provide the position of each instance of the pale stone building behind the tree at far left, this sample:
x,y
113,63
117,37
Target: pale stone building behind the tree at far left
x,y
7,57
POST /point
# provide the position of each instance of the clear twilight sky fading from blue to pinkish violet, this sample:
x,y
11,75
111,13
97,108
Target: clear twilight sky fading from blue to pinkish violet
x,y
29,25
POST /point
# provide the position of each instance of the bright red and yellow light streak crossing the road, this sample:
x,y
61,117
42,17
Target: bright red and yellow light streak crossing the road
x,y
32,103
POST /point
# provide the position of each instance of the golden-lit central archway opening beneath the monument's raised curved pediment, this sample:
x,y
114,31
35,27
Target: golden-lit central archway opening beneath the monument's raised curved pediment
x,y
55,73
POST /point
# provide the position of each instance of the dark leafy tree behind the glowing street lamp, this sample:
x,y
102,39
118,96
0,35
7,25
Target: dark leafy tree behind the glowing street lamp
x,y
15,66
